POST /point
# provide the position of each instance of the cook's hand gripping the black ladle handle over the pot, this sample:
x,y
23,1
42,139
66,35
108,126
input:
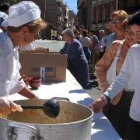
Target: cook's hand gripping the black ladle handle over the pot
x,y
7,106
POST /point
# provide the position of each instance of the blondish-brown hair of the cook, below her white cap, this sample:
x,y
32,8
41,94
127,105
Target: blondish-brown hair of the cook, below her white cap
x,y
33,26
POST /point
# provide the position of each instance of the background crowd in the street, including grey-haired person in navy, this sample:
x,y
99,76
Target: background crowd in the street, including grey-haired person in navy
x,y
84,49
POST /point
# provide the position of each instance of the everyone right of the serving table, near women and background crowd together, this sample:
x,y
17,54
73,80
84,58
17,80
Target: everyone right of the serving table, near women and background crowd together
x,y
115,59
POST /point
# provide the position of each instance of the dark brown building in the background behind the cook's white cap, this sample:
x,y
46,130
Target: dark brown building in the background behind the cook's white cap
x,y
56,14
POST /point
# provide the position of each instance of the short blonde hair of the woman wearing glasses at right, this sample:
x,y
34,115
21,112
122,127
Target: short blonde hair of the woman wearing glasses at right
x,y
120,13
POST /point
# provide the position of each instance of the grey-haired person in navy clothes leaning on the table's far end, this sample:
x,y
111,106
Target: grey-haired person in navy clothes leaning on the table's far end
x,y
77,62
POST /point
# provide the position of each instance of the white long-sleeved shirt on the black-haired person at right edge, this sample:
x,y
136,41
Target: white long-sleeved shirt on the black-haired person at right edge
x,y
130,69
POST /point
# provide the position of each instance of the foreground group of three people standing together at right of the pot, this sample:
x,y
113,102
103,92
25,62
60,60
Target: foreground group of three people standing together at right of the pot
x,y
120,99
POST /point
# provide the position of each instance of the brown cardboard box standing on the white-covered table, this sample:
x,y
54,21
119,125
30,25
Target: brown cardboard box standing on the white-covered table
x,y
55,65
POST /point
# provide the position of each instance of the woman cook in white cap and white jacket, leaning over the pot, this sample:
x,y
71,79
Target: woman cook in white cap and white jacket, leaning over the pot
x,y
23,25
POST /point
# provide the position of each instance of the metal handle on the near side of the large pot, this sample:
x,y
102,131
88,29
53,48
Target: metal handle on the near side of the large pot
x,y
12,135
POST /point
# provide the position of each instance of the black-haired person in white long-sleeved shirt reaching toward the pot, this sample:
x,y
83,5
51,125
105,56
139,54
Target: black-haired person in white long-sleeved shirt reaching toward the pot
x,y
130,70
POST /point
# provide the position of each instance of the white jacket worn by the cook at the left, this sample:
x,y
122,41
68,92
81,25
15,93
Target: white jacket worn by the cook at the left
x,y
9,67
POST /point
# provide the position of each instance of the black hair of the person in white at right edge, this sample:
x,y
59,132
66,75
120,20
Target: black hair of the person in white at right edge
x,y
134,19
